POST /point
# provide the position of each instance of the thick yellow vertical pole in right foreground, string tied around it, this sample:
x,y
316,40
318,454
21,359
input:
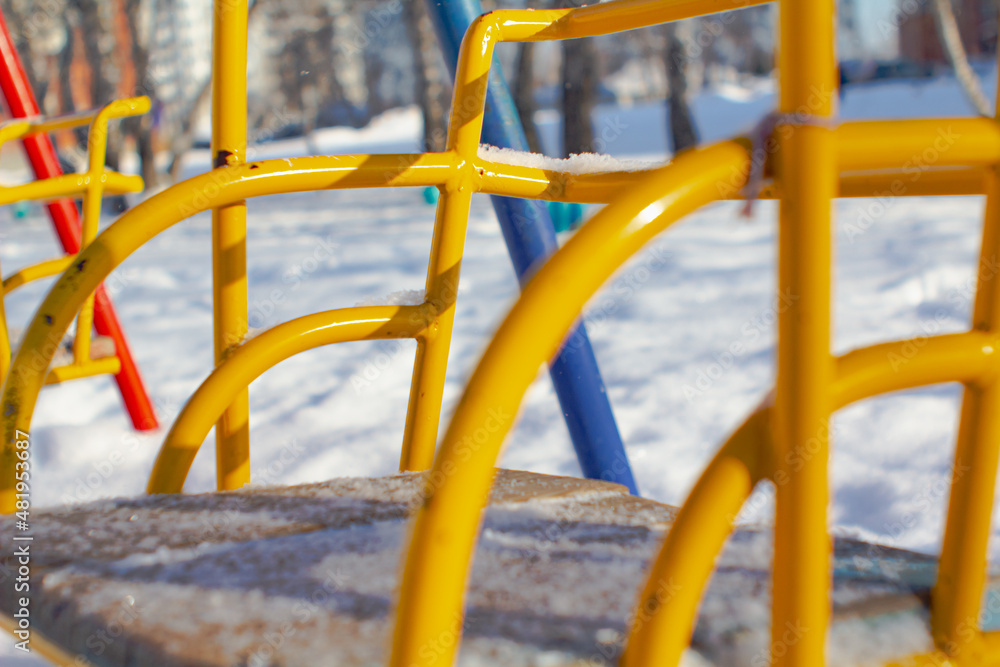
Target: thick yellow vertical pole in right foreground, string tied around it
x,y
808,181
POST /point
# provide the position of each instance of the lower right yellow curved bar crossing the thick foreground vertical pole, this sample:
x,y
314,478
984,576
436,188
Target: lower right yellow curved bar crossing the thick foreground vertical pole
x,y
662,631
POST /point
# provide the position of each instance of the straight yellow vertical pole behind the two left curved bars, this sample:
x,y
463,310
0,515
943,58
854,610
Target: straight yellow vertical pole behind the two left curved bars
x,y
229,280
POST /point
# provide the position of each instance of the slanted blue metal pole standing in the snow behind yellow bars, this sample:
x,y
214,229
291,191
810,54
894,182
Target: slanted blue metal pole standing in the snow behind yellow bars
x,y
530,237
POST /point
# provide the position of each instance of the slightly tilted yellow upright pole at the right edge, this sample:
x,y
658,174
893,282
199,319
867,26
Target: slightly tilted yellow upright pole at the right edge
x,y
958,592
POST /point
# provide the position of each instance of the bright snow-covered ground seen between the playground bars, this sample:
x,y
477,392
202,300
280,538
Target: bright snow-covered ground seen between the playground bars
x,y
339,411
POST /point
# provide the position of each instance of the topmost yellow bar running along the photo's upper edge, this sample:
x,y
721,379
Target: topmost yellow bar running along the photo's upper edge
x,y
604,18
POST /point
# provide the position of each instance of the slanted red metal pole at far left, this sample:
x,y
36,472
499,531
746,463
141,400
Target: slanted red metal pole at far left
x,y
66,220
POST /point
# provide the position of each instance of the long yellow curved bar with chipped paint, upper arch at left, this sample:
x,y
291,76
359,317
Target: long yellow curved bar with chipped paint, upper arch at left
x,y
154,215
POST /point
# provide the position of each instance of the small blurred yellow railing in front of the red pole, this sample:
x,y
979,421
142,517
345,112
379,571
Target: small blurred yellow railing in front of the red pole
x,y
91,186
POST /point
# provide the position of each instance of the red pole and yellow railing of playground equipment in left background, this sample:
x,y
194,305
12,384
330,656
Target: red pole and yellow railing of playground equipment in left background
x,y
53,186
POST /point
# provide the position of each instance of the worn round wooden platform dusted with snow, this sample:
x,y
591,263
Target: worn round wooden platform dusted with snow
x,y
306,575
